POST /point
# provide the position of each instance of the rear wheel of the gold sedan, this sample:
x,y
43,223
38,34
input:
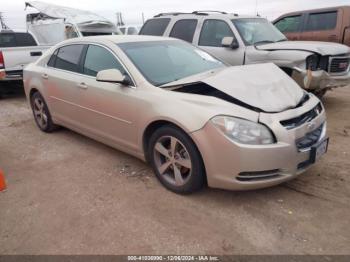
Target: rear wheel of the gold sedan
x,y
41,113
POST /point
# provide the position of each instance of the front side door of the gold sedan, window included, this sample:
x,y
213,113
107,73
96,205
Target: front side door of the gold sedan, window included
x,y
110,109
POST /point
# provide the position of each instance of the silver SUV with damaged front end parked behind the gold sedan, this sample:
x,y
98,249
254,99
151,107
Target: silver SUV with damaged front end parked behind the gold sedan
x,y
244,40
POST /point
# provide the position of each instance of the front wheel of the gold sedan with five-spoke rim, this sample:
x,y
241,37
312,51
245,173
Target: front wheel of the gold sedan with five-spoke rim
x,y
176,160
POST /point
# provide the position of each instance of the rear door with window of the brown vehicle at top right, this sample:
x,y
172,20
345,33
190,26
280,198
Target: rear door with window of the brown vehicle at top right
x,y
323,26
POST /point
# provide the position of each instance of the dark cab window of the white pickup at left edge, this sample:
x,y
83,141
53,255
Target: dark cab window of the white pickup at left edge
x,y
16,40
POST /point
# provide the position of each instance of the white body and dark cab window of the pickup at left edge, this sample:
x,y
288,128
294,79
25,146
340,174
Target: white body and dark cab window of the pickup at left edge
x,y
19,50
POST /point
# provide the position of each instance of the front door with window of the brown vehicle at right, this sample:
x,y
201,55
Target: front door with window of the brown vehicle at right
x,y
291,26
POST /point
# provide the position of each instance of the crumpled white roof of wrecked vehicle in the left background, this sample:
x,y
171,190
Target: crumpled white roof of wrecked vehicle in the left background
x,y
71,15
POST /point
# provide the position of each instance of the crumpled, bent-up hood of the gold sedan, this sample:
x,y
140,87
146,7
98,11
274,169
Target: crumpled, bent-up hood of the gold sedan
x,y
263,86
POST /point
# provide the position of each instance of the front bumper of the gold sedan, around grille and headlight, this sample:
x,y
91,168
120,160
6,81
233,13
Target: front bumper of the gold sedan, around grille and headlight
x,y
226,162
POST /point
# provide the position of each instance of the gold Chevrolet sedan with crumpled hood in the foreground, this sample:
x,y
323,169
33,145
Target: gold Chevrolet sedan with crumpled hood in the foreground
x,y
194,119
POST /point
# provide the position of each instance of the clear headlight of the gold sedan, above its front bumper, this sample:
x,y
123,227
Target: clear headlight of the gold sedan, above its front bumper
x,y
244,131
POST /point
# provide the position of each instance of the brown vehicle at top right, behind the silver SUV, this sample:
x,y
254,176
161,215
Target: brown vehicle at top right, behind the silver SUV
x,y
326,24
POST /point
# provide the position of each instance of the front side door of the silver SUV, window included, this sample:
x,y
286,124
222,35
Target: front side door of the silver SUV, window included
x,y
211,34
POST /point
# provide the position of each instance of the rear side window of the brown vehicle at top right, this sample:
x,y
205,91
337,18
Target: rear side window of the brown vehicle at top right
x,y
322,21
